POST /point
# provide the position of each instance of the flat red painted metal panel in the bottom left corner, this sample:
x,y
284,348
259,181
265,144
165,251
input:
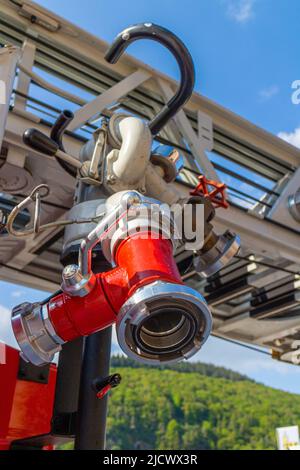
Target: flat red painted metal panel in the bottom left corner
x,y
25,407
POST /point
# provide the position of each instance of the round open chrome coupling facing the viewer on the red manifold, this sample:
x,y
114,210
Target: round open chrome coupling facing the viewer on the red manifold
x,y
163,323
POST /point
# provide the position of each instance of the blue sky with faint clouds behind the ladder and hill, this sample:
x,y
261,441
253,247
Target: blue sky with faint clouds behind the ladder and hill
x,y
246,55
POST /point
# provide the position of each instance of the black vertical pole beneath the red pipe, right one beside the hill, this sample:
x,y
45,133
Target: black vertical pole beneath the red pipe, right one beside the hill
x,y
92,411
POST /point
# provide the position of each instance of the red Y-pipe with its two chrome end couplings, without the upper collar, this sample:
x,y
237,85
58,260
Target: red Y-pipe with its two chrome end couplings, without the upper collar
x,y
158,318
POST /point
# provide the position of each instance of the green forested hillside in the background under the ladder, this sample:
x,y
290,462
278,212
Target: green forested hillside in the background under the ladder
x,y
195,407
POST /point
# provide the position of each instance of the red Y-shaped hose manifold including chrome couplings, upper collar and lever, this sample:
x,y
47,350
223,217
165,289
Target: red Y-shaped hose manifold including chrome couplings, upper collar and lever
x,y
158,318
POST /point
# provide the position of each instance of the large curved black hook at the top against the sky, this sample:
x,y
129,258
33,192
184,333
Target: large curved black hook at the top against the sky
x,y
181,54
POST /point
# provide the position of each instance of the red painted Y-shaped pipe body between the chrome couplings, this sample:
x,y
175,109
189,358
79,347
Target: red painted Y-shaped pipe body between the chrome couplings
x,y
141,258
